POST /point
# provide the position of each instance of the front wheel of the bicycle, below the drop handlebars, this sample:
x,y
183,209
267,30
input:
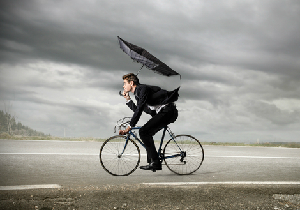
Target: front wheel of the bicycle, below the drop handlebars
x,y
116,160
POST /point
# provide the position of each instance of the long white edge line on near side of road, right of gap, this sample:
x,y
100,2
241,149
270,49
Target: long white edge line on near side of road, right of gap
x,y
226,183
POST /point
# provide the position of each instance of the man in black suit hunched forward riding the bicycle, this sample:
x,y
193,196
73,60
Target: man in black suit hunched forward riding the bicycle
x,y
154,101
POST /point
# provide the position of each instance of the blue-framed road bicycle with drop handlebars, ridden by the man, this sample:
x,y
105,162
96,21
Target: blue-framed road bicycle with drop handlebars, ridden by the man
x,y
120,155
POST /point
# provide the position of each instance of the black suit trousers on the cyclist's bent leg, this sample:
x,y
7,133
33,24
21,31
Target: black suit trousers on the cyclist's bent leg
x,y
164,117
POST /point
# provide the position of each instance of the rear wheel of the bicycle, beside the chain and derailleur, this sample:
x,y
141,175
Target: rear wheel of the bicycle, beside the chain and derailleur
x,y
185,156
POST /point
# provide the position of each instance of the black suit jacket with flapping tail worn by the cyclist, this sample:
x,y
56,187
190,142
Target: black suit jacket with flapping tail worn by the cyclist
x,y
150,95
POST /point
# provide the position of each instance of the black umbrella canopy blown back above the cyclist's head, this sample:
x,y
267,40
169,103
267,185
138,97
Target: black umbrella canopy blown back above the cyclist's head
x,y
140,55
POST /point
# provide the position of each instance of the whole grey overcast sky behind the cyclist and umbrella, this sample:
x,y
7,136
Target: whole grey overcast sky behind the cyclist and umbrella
x,y
61,66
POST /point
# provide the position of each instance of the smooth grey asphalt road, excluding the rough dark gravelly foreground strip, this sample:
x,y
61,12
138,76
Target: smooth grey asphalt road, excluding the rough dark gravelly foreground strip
x,y
76,164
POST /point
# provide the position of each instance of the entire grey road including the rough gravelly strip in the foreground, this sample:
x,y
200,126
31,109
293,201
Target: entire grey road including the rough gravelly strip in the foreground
x,y
230,178
